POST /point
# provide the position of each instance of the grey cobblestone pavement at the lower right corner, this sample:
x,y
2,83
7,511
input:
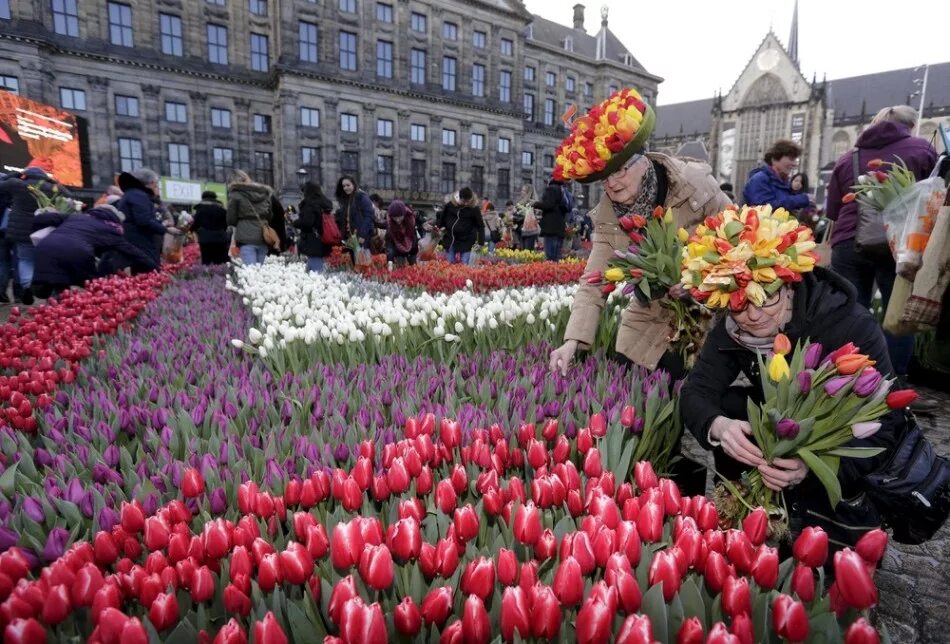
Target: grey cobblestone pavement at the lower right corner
x,y
914,581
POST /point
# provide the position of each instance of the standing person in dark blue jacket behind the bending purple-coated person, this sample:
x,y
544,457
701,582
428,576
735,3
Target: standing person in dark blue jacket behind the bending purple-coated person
x,y
138,204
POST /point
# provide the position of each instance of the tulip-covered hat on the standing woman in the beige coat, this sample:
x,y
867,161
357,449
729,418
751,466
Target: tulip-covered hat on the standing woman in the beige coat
x,y
602,140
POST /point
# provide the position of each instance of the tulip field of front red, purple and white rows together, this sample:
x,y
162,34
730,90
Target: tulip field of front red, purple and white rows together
x,y
188,486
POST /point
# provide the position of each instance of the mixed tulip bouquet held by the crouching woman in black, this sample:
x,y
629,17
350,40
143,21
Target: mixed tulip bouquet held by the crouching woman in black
x,y
813,409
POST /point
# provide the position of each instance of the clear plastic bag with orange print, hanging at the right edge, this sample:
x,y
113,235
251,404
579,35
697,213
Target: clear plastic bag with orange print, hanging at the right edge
x,y
909,220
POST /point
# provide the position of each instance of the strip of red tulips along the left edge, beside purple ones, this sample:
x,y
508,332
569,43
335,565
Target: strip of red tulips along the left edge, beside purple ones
x,y
42,348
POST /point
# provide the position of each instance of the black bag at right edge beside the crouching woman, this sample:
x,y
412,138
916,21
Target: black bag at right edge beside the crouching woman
x,y
912,490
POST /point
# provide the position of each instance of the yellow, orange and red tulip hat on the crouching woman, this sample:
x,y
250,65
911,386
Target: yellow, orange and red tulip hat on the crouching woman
x,y
746,255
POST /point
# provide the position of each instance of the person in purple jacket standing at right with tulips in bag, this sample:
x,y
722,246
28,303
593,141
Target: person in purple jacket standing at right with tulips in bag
x,y
888,138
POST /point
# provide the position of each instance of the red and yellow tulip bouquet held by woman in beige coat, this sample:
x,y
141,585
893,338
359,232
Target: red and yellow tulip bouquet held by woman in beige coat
x,y
649,268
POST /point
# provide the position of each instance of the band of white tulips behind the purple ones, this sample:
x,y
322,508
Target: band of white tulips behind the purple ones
x,y
306,318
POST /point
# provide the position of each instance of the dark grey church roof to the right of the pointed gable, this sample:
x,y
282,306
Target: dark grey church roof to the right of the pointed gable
x,y
850,97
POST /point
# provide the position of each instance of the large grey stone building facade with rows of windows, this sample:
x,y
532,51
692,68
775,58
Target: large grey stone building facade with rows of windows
x,y
414,97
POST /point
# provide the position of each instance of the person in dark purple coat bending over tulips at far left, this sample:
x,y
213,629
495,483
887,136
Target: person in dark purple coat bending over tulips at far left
x,y
67,256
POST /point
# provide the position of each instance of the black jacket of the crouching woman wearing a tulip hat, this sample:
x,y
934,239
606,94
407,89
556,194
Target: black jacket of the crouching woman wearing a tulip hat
x,y
825,310
